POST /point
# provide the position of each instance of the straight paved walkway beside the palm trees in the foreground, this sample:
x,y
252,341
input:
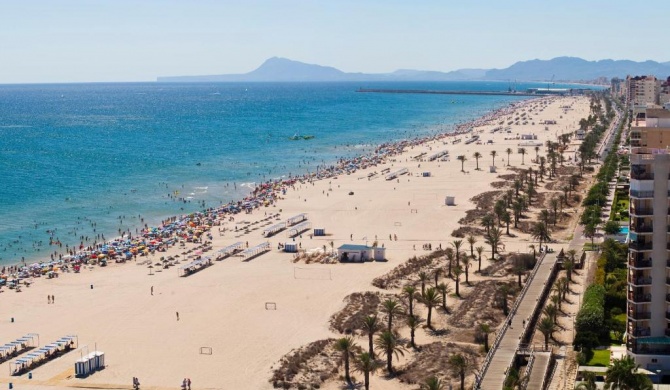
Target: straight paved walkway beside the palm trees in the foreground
x,y
503,355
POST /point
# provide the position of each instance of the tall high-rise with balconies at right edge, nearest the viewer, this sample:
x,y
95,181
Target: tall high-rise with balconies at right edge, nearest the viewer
x,y
648,309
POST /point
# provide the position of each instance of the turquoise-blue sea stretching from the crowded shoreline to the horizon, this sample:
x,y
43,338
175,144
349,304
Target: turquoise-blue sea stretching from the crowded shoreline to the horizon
x,y
79,162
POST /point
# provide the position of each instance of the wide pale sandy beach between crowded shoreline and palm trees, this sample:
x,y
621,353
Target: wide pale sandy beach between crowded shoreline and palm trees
x,y
223,307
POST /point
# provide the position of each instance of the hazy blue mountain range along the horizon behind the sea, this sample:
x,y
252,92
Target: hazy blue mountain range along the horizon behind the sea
x,y
557,69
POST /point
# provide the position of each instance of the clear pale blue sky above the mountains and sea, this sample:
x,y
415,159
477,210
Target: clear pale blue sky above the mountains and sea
x,y
138,40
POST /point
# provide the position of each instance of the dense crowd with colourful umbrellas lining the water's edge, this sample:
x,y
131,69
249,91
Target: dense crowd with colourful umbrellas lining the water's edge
x,y
193,226
